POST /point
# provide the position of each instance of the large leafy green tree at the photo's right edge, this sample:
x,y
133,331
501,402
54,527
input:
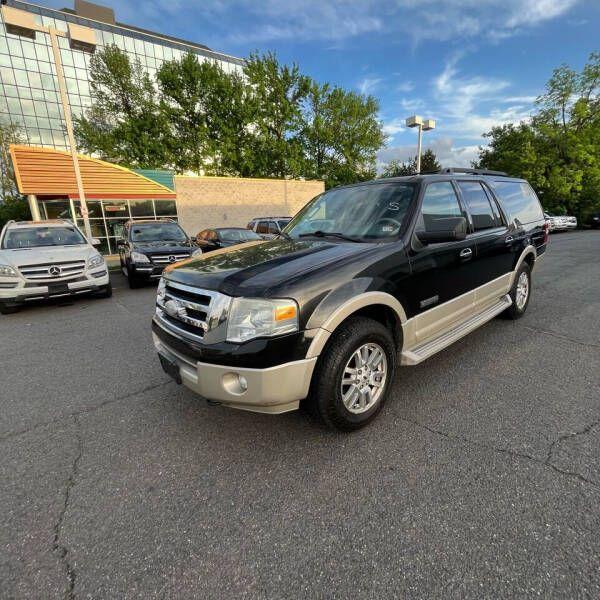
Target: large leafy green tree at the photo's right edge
x,y
558,152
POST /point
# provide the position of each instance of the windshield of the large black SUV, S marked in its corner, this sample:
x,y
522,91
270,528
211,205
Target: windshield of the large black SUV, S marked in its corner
x,y
366,212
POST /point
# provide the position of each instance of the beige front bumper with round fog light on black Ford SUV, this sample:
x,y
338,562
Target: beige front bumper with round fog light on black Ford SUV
x,y
271,390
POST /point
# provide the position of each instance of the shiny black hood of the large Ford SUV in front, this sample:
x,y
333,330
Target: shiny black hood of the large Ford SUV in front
x,y
252,268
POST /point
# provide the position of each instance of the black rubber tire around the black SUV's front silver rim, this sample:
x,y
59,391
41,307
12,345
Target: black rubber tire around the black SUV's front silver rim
x,y
325,398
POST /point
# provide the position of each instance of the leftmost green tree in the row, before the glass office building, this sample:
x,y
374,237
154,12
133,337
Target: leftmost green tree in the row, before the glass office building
x,y
124,123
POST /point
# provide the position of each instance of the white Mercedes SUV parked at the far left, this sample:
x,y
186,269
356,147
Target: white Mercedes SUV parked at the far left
x,y
48,259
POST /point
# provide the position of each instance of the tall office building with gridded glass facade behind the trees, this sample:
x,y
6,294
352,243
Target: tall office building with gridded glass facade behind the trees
x,y
29,96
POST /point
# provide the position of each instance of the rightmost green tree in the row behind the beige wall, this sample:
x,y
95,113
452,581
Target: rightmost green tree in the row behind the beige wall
x,y
341,134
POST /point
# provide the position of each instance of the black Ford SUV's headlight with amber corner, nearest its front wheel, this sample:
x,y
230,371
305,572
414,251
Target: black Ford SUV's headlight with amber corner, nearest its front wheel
x,y
254,317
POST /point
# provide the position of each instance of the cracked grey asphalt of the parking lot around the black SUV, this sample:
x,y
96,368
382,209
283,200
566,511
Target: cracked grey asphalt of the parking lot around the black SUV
x,y
479,479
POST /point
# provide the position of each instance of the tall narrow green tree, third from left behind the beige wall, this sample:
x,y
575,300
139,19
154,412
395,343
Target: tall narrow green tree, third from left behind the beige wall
x,y
279,91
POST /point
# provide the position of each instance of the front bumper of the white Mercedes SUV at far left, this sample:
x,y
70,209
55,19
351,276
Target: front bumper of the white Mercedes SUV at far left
x,y
26,290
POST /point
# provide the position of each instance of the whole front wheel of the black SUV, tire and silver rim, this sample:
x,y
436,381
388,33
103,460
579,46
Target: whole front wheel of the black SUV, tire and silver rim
x,y
353,375
